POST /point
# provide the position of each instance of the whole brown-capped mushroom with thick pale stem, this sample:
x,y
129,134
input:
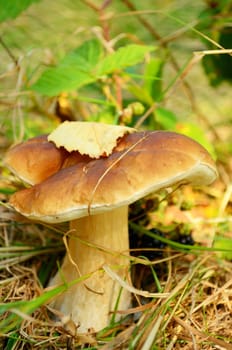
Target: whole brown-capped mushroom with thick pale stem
x,y
94,195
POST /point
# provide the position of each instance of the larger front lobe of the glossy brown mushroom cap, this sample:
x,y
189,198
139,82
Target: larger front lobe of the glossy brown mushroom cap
x,y
142,163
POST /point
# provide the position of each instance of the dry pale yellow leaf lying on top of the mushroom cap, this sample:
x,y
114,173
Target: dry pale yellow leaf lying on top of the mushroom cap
x,y
92,139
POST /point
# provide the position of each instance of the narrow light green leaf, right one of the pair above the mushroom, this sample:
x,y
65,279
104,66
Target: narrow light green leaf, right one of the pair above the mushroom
x,y
124,57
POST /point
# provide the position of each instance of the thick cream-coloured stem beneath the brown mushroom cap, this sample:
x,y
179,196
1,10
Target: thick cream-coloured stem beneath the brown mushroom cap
x,y
96,240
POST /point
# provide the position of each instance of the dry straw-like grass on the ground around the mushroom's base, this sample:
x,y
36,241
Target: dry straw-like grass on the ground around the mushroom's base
x,y
197,311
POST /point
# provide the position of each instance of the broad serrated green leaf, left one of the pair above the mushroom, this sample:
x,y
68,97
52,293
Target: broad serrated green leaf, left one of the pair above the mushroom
x,y
74,71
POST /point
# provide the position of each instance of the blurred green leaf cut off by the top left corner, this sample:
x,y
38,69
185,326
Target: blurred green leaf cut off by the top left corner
x,y
10,9
